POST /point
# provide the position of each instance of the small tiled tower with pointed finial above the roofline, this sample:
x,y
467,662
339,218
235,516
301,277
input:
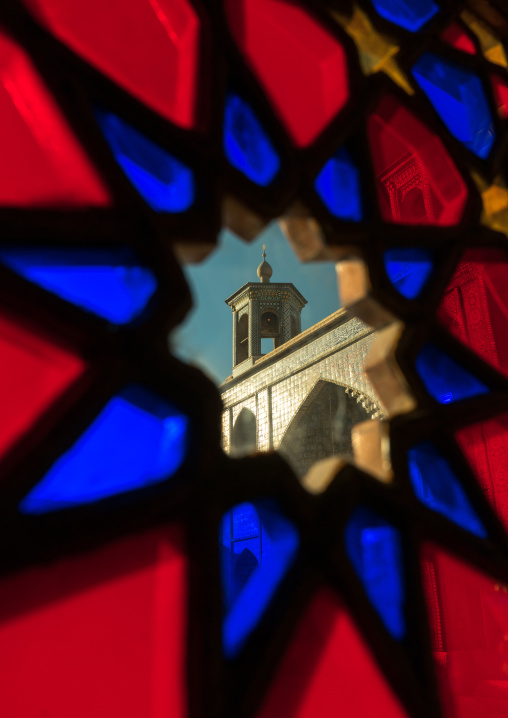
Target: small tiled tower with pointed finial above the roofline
x,y
263,309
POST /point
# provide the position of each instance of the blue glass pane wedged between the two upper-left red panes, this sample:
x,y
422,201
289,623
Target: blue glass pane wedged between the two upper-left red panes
x,y
164,182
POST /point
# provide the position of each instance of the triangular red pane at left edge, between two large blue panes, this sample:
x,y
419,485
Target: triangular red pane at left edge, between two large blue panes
x,y
33,374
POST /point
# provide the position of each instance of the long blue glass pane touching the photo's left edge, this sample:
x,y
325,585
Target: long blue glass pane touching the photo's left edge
x,y
106,282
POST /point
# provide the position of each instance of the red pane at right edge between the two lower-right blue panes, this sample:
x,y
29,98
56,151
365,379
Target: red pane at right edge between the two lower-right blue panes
x,y
485,446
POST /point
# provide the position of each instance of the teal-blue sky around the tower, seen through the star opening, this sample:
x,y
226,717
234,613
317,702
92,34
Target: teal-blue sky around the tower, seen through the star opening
x,y
205,338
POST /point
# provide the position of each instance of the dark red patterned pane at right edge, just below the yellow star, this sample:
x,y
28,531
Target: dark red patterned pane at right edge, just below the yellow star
x,y
475,305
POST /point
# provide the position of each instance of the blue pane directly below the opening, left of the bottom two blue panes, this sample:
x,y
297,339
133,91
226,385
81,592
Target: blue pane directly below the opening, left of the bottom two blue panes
x,y
258,545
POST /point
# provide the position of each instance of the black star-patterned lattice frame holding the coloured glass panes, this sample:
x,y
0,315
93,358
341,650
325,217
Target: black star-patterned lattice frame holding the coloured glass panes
x,y
211,482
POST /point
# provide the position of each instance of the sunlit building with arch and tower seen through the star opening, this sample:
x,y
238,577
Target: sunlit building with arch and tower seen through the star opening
x,y
303,397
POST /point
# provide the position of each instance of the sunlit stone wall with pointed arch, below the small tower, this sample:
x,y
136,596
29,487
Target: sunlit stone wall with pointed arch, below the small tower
x,y
281,385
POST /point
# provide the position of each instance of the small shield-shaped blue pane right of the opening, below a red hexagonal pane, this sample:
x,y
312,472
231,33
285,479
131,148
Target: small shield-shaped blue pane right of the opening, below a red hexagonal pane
x,y
408,269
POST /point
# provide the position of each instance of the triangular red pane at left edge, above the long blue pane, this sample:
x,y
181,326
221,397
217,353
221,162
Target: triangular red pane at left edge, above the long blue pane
x,y
43,164
